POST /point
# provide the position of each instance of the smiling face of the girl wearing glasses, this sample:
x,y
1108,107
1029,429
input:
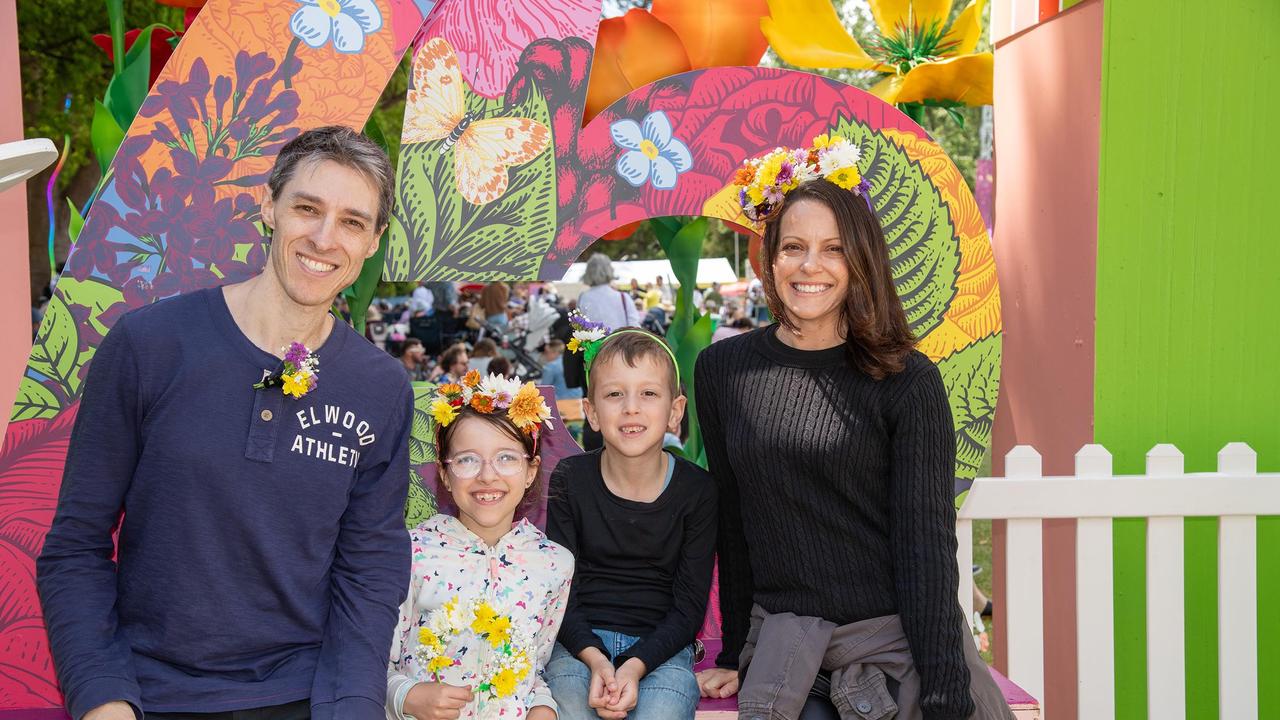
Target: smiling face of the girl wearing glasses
x,y
488,472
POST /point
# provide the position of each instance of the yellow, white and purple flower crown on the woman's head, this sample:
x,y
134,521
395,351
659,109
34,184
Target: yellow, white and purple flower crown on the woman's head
x,y
767,180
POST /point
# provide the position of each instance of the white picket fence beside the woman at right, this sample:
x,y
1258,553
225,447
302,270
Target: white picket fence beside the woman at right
x,y
1237,494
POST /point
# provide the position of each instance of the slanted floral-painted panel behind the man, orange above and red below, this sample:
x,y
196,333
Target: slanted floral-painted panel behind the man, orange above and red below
x,y
177,213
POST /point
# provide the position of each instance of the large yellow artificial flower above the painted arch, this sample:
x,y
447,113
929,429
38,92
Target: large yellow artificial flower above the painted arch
x,y
927,63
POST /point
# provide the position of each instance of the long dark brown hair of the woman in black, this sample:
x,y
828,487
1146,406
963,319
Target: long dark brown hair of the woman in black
x,y
877,338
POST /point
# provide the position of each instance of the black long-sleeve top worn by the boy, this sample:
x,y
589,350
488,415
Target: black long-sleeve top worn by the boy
x,y
642,569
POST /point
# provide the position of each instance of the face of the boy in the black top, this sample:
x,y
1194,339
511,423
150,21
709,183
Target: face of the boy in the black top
x,y
633,408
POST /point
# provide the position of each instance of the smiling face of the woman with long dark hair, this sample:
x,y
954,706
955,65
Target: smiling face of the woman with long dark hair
x,y
811,272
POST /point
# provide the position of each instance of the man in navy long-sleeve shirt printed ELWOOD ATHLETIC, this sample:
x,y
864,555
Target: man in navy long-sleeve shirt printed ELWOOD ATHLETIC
x,y
262,553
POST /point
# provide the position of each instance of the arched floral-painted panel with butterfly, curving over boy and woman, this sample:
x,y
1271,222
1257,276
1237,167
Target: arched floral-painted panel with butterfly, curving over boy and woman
x,y
671,149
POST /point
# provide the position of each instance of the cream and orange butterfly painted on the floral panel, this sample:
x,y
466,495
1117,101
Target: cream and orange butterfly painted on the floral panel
x,y
483,148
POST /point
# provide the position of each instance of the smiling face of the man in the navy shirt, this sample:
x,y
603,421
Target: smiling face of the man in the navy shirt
x,y
323,230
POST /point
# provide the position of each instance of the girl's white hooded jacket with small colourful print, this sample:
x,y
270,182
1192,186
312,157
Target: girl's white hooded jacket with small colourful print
x,y
524,576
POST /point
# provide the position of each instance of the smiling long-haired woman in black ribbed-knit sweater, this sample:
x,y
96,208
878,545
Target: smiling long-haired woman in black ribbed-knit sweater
x,y
833,445
